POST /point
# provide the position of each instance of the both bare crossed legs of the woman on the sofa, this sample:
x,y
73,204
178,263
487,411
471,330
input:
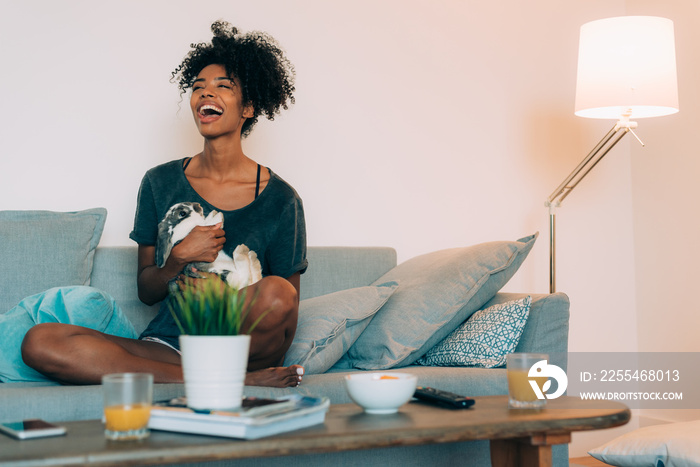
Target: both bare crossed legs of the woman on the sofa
x,y
77,355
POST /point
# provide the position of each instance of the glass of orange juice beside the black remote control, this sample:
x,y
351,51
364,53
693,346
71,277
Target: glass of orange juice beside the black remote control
x,y
521,393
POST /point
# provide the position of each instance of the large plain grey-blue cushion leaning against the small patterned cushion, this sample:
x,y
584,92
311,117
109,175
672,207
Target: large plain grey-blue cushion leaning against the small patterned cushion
x,y
437,292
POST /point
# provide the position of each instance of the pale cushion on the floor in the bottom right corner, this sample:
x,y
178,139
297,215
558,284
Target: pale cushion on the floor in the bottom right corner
x,y
657,445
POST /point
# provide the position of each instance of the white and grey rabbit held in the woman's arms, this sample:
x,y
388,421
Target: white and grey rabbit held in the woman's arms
x,y
240,271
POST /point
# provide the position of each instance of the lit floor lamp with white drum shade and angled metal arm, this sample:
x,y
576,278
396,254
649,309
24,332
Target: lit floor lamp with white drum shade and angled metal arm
x,y
626,69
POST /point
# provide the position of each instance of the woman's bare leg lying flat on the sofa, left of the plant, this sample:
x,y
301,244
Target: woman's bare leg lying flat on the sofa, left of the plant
x,y
77,355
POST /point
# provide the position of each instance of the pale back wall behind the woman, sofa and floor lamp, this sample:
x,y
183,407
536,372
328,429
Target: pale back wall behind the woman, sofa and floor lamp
x,y
418,124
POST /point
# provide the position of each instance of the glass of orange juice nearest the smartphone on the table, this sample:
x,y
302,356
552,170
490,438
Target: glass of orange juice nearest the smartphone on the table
x,y
127,408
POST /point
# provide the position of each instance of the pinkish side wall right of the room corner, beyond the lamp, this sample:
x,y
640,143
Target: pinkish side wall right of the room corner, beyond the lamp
x,y
666,191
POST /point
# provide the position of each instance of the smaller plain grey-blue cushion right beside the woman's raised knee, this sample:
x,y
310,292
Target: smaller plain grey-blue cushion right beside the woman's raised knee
x,y
328,325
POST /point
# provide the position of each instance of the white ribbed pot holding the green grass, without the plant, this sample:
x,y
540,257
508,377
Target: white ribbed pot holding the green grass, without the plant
x,y
214,368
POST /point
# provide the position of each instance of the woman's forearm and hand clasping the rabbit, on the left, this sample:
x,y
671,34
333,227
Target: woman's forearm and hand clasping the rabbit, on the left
x,y
202,244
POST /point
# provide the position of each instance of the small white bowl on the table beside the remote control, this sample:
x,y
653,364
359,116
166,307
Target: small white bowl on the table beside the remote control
x,y
380,393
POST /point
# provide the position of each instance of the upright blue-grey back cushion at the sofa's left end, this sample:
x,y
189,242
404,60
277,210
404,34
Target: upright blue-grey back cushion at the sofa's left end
x,y
47,249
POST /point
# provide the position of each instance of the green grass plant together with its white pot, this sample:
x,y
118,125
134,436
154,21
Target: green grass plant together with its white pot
x,y
211,316
